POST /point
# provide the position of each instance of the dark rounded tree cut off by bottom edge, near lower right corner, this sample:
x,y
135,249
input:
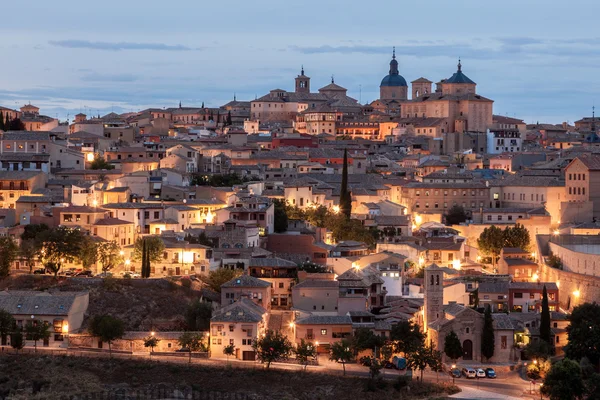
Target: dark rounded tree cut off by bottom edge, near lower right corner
x,y
564,381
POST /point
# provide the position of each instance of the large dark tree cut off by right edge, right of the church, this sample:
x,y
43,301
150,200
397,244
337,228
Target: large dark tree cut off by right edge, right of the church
x,y
584,333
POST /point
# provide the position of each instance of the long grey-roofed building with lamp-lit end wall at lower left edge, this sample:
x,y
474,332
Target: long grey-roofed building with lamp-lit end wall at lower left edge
x,y
63,311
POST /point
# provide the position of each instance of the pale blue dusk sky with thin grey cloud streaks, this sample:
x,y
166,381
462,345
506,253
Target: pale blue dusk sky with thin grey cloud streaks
x,y
538,60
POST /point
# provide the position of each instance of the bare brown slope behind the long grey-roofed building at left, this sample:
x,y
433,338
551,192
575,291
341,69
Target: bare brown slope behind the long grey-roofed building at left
x,y
143,304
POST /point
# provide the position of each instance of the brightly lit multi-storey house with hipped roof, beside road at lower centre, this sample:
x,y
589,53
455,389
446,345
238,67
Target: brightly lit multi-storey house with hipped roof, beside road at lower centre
x,y
238,324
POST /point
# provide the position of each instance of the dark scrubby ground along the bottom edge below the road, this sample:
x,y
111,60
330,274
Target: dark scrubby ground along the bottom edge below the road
x,y
60,377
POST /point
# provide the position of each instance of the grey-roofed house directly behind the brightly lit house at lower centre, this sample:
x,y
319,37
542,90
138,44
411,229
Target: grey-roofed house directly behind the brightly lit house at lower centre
x,y
257,290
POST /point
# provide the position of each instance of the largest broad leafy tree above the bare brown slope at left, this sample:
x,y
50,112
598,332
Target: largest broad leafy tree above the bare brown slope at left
x,y
60,245
